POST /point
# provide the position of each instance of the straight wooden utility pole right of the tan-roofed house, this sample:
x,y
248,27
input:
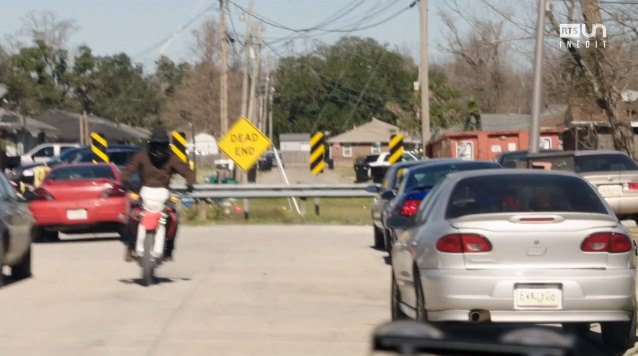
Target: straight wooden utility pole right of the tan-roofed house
x,y
424,80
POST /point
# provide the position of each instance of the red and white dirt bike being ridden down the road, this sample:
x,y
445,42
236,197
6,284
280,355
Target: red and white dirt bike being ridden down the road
x,y
149,249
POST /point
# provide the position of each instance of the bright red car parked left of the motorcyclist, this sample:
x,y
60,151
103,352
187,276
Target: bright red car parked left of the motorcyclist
x,y
79,198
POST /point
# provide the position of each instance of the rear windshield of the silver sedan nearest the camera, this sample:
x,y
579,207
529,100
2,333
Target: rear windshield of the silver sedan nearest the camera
x,y
522,193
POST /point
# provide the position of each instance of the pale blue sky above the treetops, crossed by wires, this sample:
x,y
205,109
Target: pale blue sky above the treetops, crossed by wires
x,y
140,27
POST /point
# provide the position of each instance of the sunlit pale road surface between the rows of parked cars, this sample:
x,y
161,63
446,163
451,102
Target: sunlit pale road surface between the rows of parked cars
x,y
233,290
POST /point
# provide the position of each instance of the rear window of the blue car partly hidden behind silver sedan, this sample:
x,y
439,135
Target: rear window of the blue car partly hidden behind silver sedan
x,y
426,177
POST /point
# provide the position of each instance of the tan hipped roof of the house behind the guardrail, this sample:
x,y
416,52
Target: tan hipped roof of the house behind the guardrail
x,y
371,132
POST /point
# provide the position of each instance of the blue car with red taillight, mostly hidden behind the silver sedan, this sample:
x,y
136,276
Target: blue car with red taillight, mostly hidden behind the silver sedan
x,y
417,183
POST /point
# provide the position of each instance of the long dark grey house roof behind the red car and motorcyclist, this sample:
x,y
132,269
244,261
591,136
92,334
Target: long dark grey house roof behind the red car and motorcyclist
x,y
69,127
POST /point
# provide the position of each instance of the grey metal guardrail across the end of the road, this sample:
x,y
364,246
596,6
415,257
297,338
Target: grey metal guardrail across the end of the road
x,y
259,191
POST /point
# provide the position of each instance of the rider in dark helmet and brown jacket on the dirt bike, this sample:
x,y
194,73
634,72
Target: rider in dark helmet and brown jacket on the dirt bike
x,y
155,166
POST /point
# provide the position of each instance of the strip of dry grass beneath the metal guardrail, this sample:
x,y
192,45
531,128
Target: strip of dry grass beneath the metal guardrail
x,y
343,211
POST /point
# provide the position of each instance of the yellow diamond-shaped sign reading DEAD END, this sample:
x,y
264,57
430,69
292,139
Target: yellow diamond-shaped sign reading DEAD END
x,y
244,143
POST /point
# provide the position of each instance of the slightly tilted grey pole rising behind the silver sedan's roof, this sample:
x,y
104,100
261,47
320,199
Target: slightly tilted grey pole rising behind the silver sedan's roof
x,y
534,132
